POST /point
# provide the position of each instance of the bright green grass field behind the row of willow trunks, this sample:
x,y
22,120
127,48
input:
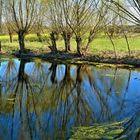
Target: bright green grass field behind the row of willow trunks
x,y
98,45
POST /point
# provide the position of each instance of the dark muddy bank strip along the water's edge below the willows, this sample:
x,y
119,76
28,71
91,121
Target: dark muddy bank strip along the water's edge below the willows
x,y
102,57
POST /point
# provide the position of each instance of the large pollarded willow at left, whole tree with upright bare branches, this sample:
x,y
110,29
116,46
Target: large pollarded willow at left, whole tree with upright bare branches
x,y
23,15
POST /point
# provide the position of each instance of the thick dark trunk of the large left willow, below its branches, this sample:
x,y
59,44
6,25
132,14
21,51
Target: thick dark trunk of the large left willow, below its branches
x,y
21,38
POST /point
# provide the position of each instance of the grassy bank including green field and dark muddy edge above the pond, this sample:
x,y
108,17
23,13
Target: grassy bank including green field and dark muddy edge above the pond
x,y
100,51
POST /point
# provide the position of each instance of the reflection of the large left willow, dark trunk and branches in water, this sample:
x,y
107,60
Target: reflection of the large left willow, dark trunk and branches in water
x,y
17,104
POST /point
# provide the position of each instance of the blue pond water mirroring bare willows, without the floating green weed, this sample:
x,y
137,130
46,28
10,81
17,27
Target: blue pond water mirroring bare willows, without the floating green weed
x,y
40,100
